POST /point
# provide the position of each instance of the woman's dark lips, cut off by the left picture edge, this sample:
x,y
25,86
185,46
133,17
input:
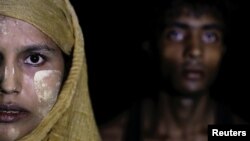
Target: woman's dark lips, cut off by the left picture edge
x,y
10,113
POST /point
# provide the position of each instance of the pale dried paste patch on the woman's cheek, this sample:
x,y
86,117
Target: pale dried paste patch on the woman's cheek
x,y
47,85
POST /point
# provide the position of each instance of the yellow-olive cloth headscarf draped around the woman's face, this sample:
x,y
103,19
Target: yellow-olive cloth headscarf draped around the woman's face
x,y
71,118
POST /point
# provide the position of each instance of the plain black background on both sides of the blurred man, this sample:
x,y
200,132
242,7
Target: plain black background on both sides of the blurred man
x,y
119,74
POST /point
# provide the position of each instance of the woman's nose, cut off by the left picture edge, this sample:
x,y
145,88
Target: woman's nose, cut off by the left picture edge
x,y
10,79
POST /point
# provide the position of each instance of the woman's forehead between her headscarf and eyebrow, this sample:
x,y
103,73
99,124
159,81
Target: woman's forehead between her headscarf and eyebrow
x,y
20,33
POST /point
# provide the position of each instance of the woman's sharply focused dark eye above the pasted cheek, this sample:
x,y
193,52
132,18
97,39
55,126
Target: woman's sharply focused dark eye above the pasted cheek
x,y
35,59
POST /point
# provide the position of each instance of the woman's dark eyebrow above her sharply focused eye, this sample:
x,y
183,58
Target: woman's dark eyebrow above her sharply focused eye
x,y
37,47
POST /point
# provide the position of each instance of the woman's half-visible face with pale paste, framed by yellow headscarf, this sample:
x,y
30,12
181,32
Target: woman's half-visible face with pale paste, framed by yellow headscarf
x,y
31,73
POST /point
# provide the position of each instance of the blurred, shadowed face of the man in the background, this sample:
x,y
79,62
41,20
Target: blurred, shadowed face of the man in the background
x,y
191,49
